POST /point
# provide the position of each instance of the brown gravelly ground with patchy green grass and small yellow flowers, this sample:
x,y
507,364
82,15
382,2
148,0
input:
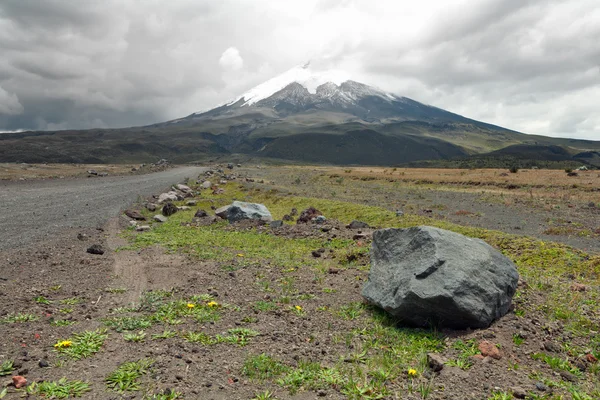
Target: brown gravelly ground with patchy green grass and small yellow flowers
x,y
238,311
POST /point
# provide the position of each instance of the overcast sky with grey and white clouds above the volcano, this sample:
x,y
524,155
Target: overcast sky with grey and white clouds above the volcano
x,y
528,65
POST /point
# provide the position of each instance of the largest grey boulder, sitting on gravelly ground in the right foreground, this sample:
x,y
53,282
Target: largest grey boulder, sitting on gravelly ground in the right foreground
x,y
426,275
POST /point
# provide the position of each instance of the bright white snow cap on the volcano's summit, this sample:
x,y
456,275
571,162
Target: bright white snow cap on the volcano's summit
x,y
301,74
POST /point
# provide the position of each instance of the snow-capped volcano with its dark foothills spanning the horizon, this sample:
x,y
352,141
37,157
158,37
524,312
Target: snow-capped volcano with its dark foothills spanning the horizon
x,y
303,116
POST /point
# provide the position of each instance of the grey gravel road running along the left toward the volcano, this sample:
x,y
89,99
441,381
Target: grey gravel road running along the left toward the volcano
x,y
32,211
